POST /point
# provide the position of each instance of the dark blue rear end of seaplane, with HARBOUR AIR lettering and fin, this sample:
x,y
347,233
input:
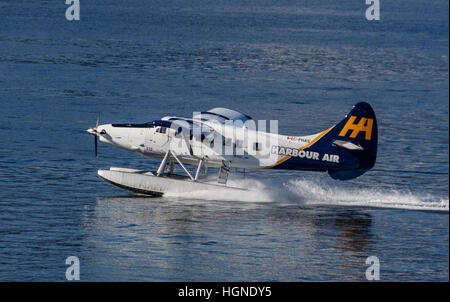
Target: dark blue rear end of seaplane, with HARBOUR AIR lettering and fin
x,y
346,150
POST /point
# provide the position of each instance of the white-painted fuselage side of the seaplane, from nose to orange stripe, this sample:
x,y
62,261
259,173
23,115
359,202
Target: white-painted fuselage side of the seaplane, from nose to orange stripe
x,y
242,147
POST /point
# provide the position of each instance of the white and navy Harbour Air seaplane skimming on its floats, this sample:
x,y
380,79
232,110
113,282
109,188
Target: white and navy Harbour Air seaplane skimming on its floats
x,y
222,138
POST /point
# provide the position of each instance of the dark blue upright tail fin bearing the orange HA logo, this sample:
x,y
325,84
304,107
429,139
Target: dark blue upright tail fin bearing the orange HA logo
x,y
355,139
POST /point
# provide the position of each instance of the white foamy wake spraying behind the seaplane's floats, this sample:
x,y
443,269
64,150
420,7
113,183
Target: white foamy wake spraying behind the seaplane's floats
x,y
317,192
